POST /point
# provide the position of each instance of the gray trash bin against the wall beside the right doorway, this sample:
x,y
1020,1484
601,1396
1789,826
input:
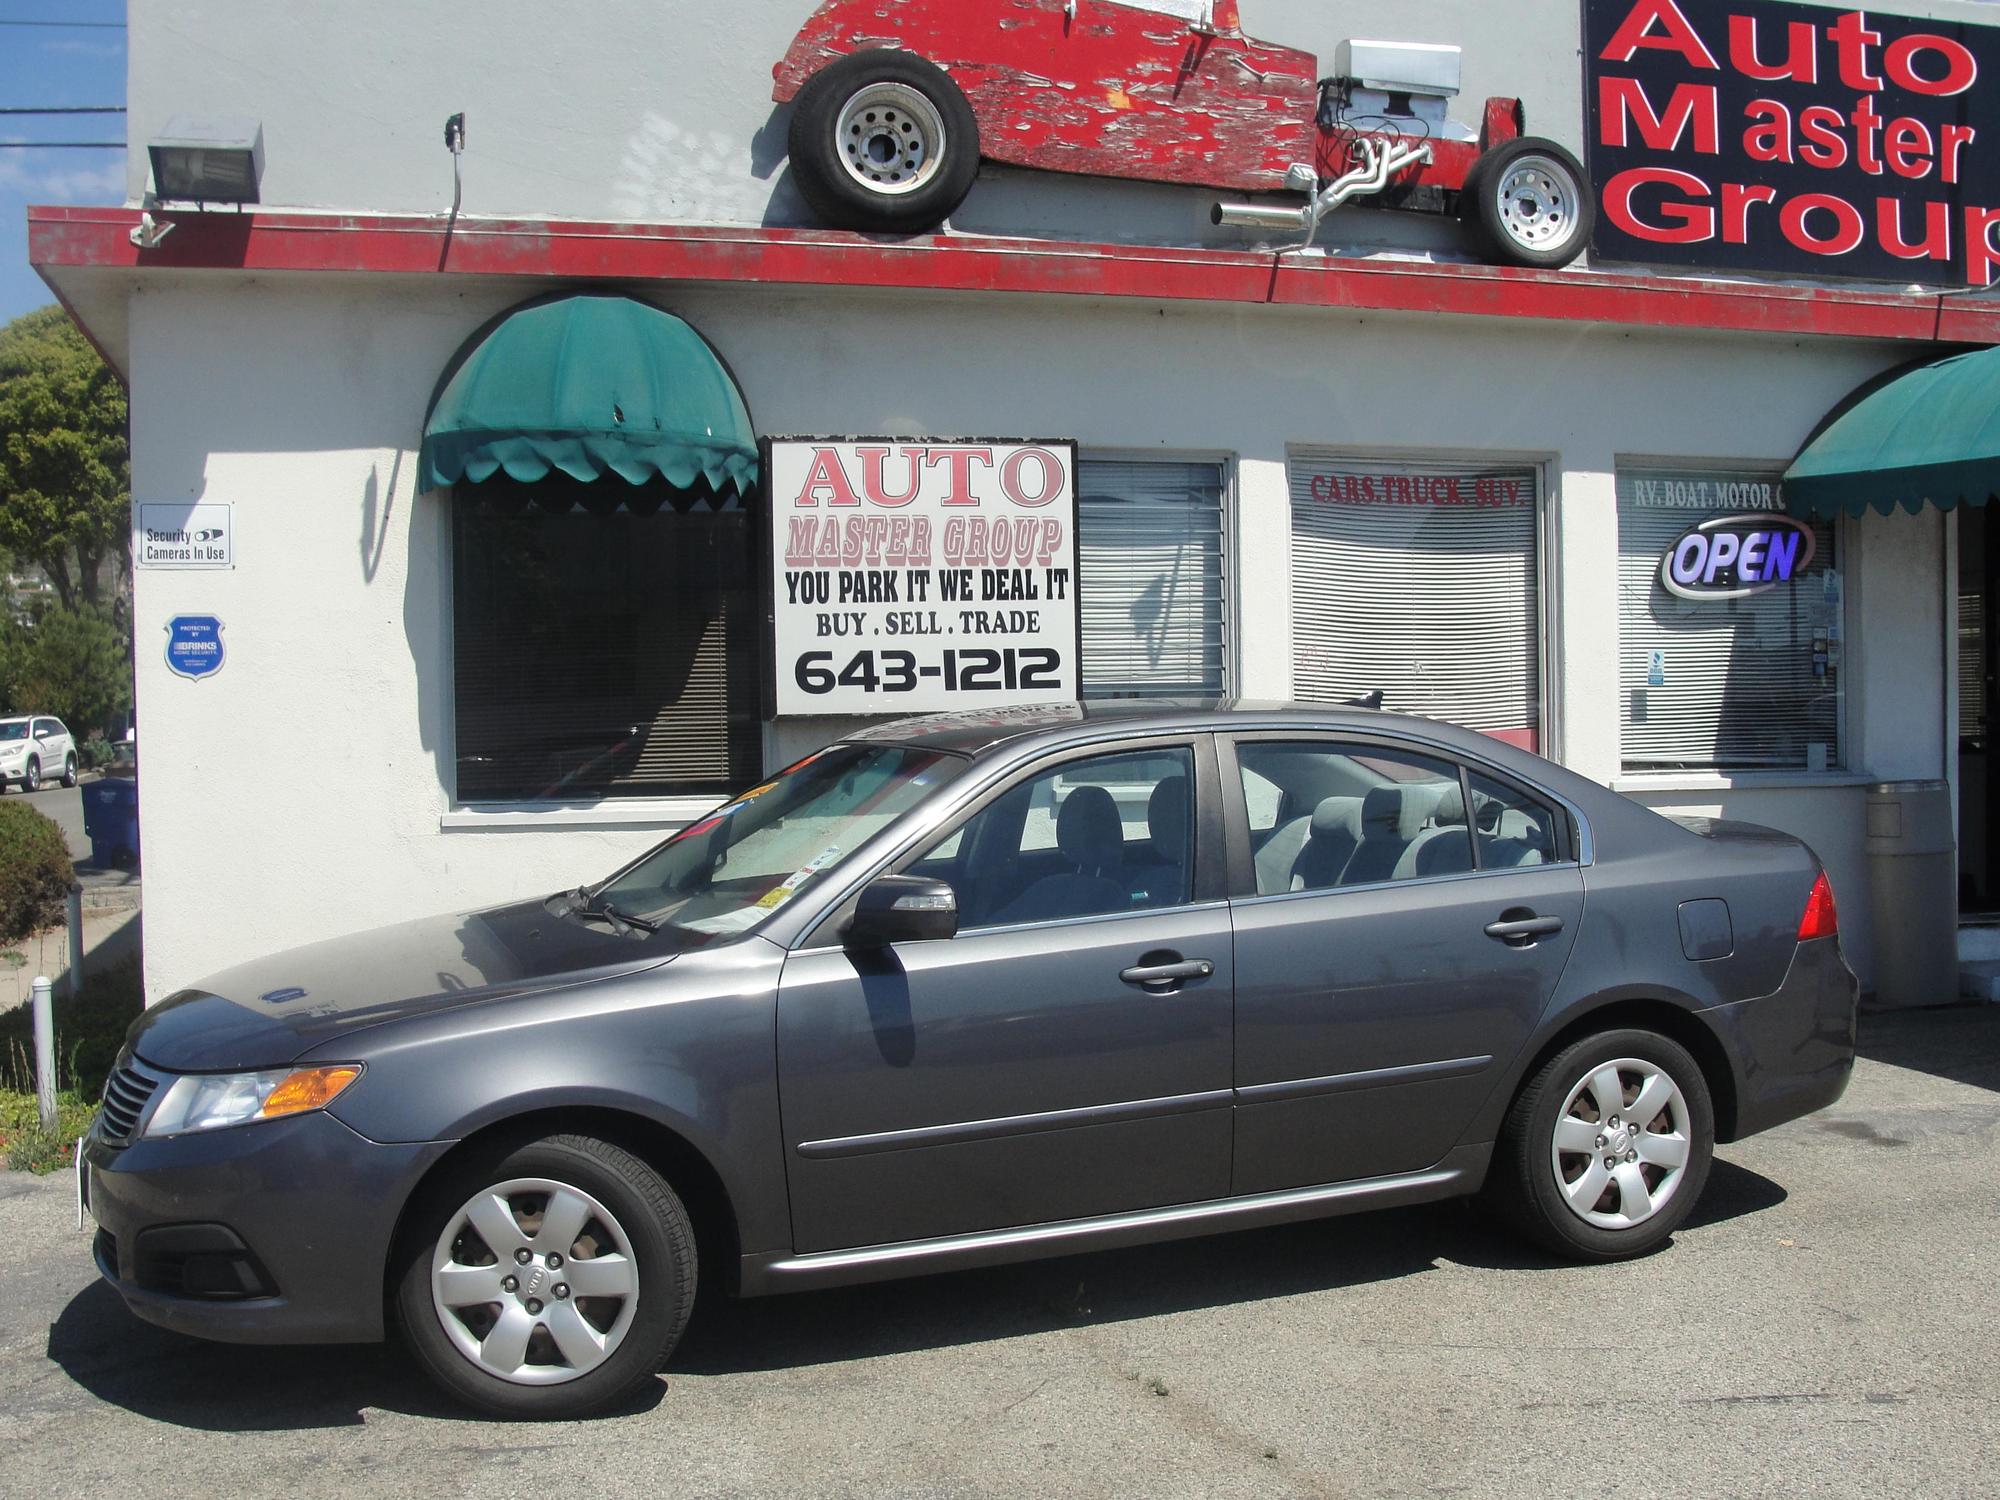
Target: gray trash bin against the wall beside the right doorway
x,y
1913,893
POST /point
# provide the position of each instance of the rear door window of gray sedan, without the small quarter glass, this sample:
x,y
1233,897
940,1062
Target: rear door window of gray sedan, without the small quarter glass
x,y
1353,815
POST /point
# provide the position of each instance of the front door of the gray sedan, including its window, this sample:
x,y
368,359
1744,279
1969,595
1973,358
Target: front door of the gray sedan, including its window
x,y
1029,1069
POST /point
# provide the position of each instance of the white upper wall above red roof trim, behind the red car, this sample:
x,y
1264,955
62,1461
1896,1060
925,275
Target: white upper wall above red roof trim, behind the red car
x,y
661,109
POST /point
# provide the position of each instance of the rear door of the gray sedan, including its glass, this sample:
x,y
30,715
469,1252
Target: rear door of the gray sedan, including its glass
x,y
1393,951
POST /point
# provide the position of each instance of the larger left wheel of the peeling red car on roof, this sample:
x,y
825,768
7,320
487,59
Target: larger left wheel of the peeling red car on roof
x,y
883,143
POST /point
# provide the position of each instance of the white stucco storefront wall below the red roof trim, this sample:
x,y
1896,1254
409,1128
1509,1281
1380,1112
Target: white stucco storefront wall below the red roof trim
x,y
305,789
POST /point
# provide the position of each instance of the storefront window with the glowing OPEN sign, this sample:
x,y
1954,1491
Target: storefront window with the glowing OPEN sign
x,y
1737,667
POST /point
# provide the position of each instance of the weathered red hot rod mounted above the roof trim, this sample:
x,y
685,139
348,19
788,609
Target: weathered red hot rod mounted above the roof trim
x,y
897,101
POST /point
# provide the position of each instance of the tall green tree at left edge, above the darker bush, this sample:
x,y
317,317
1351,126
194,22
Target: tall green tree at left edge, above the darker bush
x,y
65,465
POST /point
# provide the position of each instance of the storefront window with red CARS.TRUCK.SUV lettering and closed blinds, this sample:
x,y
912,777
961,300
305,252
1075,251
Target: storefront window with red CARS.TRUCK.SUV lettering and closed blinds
x,y
1419,583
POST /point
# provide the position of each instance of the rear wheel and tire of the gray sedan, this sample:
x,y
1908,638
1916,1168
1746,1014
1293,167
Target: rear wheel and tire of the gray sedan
x,y
1581,1177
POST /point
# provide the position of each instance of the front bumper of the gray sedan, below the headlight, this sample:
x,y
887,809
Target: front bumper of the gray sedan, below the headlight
x,y
259,1235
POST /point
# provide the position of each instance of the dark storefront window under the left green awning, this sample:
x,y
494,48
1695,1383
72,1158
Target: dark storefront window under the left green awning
x,y
605,645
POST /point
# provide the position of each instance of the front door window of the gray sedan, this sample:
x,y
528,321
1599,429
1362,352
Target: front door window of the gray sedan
x,y
1083,839
